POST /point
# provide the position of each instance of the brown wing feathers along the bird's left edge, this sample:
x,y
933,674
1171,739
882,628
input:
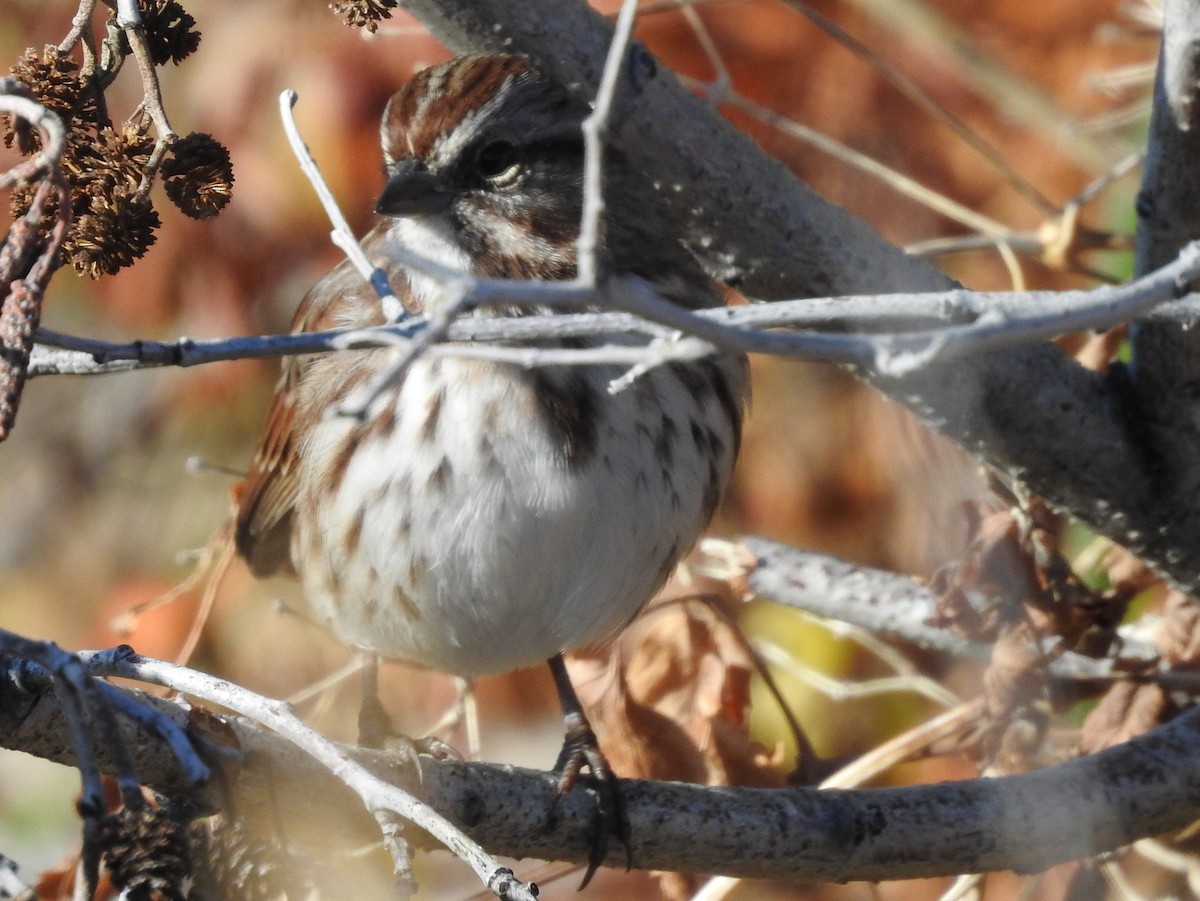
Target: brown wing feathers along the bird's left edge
x,y
266,498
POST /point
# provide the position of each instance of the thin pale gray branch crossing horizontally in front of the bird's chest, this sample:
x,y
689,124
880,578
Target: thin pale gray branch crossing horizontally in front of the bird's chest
x,y
977,322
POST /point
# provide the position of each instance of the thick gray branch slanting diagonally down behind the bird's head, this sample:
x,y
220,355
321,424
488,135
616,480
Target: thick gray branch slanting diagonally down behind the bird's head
x,y
1065,433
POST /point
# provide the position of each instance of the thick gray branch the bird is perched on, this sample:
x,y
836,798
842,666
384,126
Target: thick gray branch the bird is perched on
x,y
1025,824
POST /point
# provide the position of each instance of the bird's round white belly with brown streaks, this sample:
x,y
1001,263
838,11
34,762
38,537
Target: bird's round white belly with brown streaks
x,y
485,531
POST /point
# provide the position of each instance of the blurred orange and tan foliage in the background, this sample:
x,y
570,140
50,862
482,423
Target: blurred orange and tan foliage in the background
x,y
103,510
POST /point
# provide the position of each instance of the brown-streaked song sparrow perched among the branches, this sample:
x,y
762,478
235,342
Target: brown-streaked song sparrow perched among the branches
x,y
483,516
